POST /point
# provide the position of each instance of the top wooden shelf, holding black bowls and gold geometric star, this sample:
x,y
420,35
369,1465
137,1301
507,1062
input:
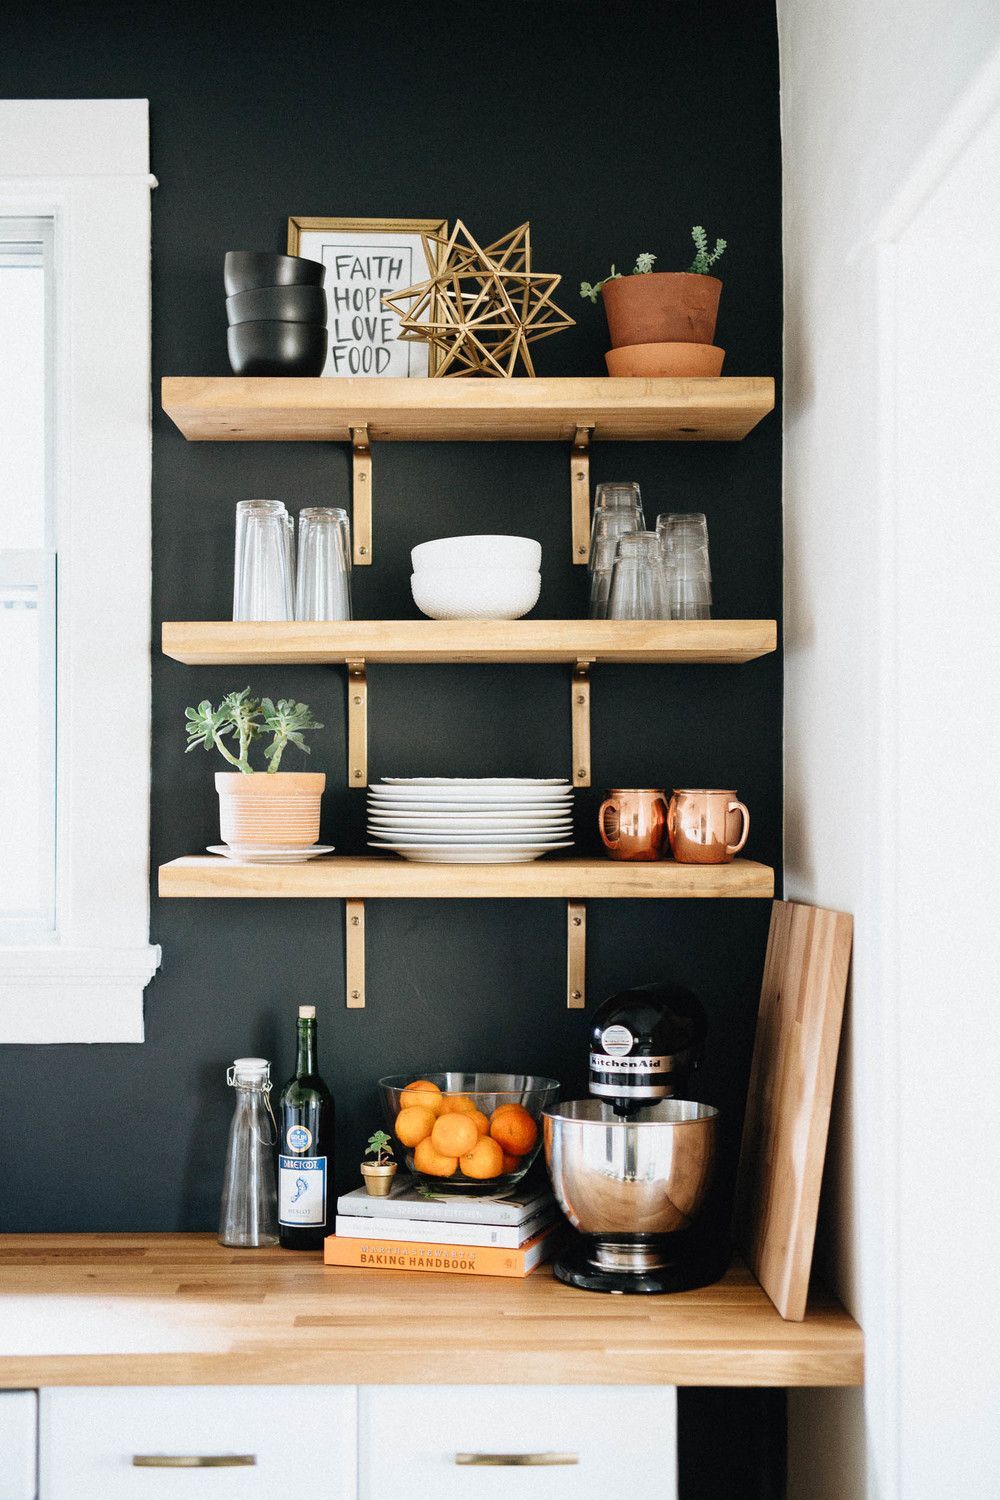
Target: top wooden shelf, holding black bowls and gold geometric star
x,y
332,410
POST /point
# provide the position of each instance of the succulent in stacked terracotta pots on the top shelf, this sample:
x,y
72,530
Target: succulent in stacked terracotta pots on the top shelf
x,y
663,323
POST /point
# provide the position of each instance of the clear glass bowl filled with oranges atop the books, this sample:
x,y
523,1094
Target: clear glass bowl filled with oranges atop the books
x,y
473,1133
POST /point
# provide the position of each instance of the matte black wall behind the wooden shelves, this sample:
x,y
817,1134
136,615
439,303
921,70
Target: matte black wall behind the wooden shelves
x,y
612,128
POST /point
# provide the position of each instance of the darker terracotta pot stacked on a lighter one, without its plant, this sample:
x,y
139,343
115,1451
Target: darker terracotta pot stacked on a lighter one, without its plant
x,y
662,308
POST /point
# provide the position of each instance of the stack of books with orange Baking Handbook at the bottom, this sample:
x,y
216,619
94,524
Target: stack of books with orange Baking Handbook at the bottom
x,y
418,1231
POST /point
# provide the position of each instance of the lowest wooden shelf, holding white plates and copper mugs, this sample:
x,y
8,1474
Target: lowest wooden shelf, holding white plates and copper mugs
x,y
392,878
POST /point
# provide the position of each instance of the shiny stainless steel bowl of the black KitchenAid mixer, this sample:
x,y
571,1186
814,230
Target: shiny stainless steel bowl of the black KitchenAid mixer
x,y
638,1177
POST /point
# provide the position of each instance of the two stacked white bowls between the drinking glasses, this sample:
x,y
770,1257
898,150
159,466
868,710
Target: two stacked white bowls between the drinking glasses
x,y
476,578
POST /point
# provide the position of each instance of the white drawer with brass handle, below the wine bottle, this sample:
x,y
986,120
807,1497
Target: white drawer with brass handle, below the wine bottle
x,y
304,1441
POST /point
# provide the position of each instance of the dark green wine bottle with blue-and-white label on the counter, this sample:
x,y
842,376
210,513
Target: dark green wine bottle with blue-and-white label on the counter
x,y
305,1147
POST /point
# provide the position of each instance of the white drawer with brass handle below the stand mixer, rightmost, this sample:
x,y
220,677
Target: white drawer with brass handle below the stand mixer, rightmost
x,y
623,1441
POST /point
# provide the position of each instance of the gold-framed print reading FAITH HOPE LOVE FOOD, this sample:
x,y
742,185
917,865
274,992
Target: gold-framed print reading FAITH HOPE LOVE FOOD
x,y
361,331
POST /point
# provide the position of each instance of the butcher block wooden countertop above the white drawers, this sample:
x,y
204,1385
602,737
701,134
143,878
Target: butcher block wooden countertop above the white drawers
x,y
107,1310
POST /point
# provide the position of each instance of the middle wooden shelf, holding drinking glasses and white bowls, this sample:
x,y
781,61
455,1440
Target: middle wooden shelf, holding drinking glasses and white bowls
x,y
283,643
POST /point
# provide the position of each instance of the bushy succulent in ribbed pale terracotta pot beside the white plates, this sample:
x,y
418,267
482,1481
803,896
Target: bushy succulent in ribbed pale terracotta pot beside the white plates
x,y
278,808
